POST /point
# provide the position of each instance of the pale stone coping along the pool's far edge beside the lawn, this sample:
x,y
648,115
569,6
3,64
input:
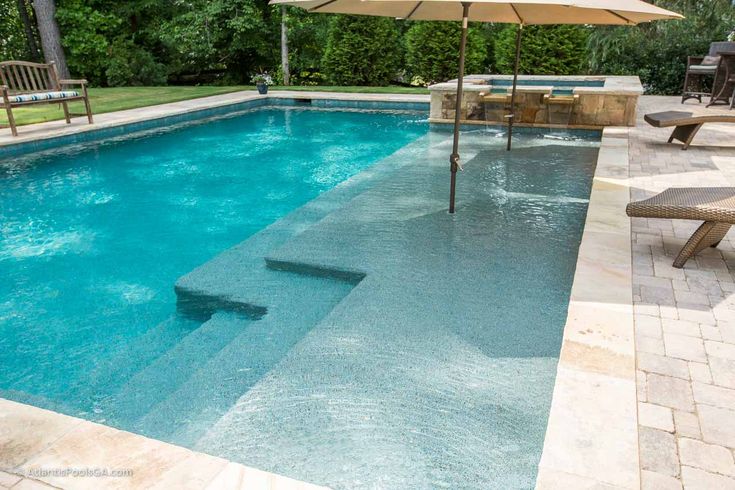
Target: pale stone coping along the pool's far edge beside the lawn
x,y
52,129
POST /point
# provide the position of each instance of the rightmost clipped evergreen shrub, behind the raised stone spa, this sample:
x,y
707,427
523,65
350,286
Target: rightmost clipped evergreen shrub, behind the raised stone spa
x,y
545,50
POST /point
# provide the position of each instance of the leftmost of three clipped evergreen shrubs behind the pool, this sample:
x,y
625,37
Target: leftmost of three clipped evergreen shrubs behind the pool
x,y
361,50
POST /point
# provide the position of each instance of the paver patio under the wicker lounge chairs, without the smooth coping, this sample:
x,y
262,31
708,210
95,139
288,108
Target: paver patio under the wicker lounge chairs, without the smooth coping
x,y
684,318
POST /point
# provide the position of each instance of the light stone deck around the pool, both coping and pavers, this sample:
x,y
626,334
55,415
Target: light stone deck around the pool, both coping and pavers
x,y
645,388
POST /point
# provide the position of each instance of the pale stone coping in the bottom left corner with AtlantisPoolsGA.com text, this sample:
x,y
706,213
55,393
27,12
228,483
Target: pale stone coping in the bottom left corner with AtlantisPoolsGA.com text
x,y
36,443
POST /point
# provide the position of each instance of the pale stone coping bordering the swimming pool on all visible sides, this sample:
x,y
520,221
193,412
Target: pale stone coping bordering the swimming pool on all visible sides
x,y
592,433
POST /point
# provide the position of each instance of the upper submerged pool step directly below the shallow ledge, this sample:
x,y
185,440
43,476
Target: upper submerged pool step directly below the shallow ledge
x,y
211,390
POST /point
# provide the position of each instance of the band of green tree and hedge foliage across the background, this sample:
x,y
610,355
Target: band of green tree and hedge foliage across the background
x,y
148,42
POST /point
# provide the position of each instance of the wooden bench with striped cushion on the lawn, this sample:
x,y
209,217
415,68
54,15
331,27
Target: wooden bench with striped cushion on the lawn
x,y
23,83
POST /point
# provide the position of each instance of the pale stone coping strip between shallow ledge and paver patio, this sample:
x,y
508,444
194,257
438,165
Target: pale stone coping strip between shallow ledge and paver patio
x,y
592,434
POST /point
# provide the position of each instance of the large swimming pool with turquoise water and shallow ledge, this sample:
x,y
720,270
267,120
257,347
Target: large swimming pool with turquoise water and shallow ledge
x,y
365,340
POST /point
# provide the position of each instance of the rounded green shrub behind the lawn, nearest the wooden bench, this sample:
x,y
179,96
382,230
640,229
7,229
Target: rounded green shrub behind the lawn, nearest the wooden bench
x,y
132,65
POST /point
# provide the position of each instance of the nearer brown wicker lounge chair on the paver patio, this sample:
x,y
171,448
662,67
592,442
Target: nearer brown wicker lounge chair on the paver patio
x,y
713,205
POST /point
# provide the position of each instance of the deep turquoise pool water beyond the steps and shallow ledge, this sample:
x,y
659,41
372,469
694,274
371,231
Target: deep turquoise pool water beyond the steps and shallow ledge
x,y
94,237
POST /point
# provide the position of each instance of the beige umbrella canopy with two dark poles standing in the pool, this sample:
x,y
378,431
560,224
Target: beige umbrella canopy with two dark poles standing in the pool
x,y
522,12
